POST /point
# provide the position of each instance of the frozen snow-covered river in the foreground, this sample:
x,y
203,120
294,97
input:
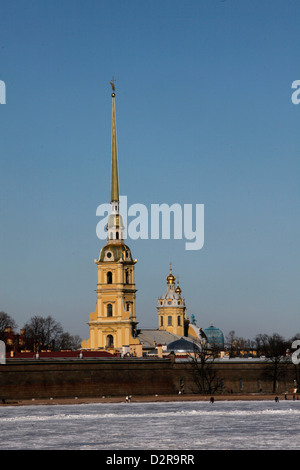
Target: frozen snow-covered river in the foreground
x,y
143,426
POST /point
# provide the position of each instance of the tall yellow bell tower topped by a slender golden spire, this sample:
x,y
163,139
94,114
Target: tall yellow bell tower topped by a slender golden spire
x,y
113,324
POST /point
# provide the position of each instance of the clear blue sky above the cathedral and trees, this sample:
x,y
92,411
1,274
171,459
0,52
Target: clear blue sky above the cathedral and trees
x,y
204,116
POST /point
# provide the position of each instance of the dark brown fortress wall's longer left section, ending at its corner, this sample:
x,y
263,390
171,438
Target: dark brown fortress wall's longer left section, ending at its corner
x,y
21,379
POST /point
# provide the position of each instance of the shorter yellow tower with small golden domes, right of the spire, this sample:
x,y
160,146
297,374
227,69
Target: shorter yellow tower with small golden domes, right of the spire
x,y
171,309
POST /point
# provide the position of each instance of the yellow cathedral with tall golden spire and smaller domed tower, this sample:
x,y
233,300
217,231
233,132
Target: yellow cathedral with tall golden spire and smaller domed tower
x,y
113,324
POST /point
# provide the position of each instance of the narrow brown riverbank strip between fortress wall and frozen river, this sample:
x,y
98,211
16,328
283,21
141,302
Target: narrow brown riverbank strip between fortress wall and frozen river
x,y
146,398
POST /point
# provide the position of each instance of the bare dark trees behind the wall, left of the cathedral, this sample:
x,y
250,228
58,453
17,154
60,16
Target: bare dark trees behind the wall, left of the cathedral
x,y
38,333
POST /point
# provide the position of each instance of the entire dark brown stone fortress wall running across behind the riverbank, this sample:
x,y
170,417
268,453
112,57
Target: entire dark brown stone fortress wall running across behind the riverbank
x,y
67,378
